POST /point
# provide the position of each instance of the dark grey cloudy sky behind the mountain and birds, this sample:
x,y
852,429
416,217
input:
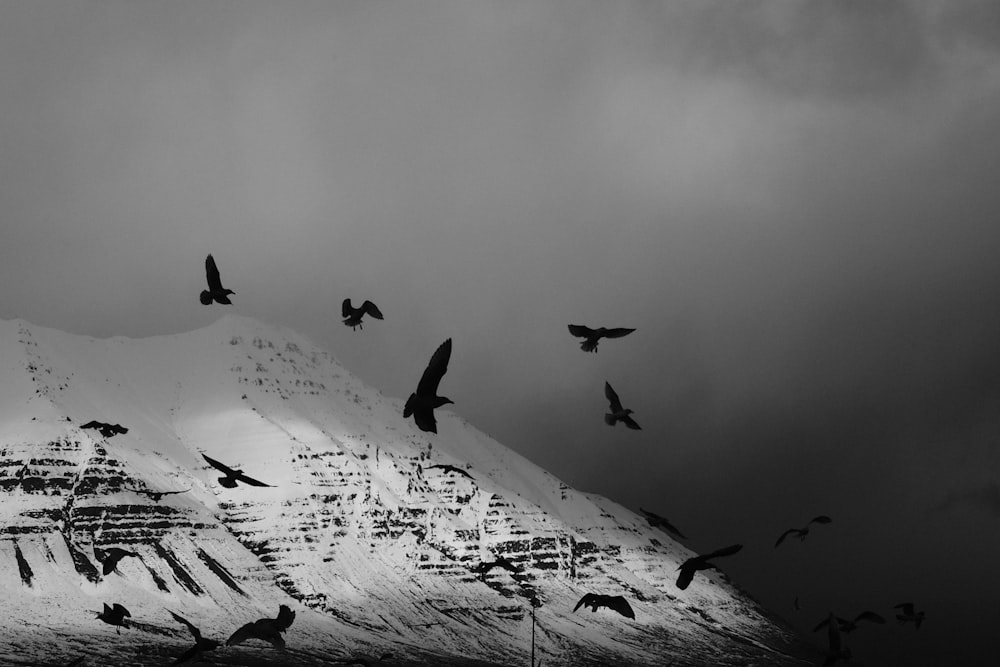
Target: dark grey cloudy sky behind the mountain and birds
x,y
794,204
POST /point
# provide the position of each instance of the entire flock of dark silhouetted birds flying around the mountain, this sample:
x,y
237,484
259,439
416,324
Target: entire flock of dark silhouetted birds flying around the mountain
x,y
420,406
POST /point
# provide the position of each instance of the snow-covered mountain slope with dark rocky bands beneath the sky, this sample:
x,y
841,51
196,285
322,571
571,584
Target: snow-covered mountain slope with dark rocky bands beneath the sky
x,y
373,548
